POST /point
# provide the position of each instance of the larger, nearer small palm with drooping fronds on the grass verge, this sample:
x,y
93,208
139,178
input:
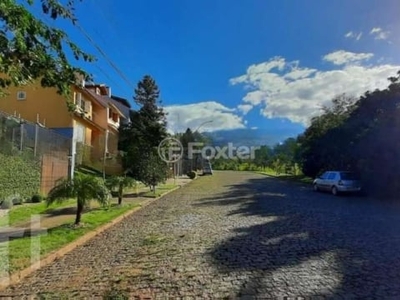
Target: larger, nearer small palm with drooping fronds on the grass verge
x,y
82,187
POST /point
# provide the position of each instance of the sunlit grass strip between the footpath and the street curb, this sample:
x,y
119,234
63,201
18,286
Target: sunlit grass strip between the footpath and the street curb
x,y
55,238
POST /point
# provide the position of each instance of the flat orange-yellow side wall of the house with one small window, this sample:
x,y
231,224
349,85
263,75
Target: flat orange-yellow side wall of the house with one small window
x,y
50,106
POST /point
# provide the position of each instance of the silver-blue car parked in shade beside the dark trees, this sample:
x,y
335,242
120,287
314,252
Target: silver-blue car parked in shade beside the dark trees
x,y
338,182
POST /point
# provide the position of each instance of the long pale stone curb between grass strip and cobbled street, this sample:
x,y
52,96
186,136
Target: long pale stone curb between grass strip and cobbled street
x,y
57,254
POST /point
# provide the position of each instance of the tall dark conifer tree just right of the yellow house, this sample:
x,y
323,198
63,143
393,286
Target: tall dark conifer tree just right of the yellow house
x,y
140,138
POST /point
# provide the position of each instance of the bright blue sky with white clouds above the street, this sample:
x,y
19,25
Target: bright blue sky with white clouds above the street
x,y
243,64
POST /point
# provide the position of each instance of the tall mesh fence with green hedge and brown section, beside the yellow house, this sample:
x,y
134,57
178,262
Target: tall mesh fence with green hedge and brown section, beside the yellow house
x,y
32,158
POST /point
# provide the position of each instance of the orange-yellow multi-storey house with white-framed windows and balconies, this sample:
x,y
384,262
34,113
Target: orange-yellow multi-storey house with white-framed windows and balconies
x,y
92,122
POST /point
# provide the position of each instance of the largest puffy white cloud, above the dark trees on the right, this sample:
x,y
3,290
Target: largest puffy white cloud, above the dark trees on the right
x,y
298,98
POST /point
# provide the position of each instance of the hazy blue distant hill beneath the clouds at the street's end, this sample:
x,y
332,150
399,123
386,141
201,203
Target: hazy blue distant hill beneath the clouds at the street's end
x,y
250,137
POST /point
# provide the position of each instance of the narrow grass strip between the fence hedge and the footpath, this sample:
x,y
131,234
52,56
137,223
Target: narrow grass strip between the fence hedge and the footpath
x,y
23,213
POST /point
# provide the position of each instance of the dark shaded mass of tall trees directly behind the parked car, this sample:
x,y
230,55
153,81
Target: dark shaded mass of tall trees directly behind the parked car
x,y
360,137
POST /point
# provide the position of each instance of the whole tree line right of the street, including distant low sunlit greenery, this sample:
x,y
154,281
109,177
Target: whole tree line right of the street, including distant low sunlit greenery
x,y
352,134
